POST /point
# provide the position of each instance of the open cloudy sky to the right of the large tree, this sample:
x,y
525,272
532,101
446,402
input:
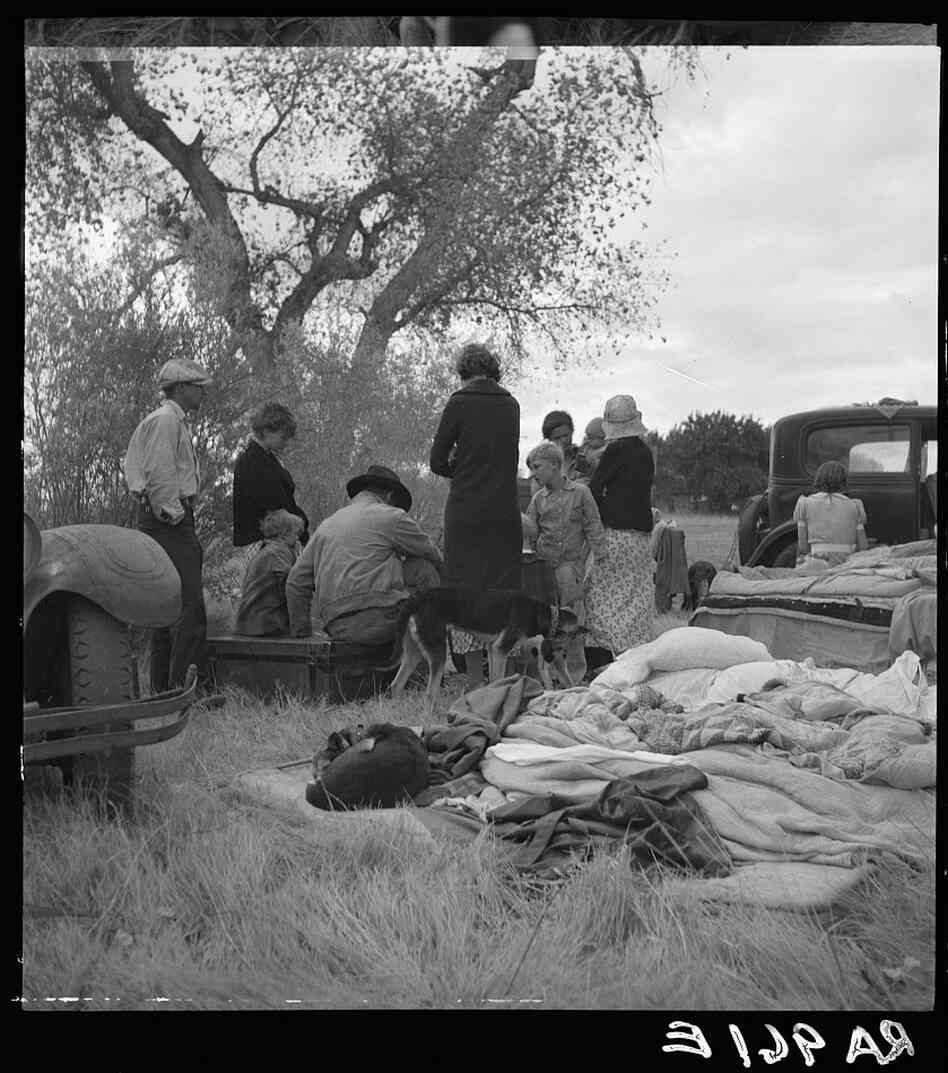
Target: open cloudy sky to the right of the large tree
x,y
799,193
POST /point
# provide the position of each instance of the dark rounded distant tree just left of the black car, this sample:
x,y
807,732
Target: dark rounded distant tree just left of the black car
x,y
717,459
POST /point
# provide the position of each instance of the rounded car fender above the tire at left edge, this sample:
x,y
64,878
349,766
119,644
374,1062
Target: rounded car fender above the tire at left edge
x,y
124,571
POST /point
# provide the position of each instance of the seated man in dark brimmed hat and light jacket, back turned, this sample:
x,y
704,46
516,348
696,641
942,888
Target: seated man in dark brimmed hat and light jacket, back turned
x,y
362,563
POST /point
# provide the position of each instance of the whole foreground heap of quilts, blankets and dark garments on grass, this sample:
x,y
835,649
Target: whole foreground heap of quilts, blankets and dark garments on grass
x,y
759,781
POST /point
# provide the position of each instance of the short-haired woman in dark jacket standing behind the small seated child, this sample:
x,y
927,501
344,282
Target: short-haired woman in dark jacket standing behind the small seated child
x,y
261,481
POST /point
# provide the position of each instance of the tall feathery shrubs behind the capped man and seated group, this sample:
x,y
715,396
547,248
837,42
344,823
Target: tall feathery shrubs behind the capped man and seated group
x,y
92,360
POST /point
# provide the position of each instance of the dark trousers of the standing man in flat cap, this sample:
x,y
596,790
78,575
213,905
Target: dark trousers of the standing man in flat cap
x,y
174,649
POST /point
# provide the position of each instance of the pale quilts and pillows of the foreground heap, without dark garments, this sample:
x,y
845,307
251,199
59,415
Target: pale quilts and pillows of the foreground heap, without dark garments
x,y
805,766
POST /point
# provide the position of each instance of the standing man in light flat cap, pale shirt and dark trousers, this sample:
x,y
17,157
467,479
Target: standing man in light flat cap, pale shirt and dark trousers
x,y
162,474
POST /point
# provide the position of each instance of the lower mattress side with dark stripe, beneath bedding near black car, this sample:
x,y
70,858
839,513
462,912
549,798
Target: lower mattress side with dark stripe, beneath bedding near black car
x,y
835,635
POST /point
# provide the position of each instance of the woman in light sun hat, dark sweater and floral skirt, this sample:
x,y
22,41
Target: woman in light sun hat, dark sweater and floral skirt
x,y
621,596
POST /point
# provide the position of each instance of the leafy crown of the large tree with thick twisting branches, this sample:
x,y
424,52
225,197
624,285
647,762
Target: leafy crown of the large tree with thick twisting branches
x,y
401,185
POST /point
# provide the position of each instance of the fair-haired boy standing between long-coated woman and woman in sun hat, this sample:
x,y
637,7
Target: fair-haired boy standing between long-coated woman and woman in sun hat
x,y
562,524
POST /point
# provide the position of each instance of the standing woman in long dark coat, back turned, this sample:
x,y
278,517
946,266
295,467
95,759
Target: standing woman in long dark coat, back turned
x,y
478,446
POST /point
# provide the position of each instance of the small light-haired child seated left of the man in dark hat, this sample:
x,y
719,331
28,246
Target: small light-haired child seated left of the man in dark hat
x,y
263,604
